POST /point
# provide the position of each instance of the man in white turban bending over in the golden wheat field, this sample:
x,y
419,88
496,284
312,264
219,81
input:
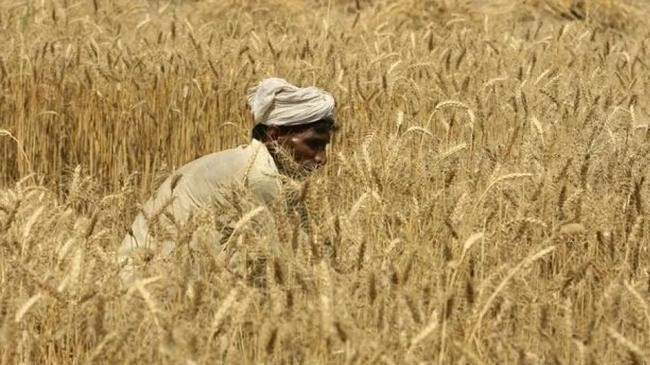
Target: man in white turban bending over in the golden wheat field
x,y
292,128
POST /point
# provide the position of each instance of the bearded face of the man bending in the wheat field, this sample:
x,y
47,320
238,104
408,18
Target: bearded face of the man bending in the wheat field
x,y
307,148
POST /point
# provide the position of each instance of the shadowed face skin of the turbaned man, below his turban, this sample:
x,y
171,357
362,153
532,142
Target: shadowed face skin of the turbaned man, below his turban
x,y
308,147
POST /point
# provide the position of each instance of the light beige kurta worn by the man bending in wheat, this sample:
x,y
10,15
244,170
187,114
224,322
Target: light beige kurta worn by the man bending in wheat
x,y
198,185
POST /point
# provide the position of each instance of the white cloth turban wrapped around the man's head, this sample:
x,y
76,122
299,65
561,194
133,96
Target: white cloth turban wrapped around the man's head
x,y
275,102
